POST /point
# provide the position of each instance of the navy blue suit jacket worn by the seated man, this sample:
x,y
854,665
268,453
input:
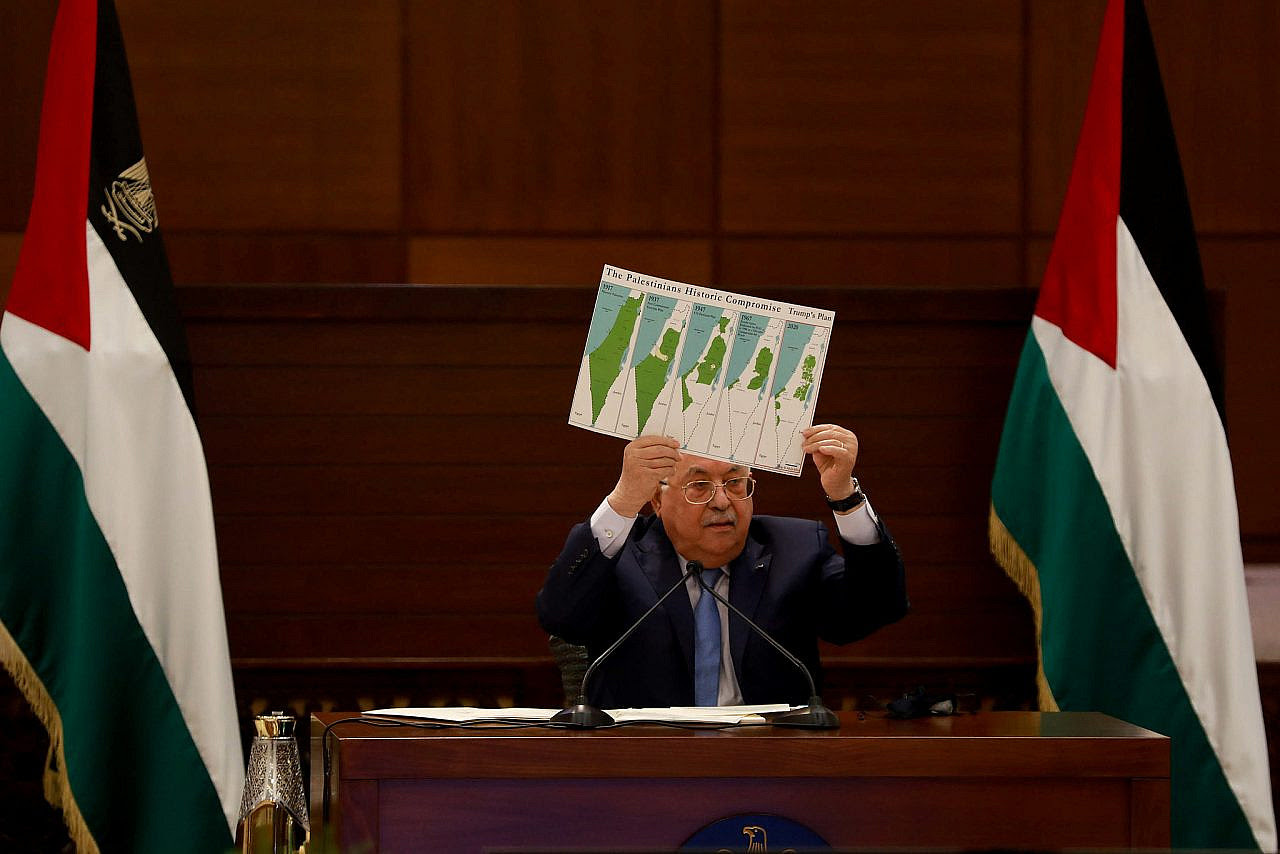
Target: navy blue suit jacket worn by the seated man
x,y
788,579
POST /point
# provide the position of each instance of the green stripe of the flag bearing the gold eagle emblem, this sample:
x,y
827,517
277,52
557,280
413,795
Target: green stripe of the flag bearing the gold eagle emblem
x,y
65,602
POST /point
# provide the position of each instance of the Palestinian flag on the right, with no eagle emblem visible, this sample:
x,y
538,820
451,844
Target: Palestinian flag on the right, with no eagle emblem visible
x,y
1113,503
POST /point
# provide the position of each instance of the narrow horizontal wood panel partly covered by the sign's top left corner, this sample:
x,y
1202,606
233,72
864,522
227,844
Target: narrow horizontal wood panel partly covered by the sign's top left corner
x,y
515,261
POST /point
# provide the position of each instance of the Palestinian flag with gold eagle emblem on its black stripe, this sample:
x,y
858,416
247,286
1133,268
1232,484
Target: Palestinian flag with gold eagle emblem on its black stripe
x,y
111,608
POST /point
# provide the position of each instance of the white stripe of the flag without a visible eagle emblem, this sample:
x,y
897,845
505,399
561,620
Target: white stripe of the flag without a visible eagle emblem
x,y
1159,451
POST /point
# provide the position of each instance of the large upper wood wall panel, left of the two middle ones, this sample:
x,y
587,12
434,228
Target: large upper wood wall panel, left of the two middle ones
x,y
561,116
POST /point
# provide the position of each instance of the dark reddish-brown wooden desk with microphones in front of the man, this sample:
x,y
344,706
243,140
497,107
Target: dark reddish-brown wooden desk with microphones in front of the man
x,y
990,780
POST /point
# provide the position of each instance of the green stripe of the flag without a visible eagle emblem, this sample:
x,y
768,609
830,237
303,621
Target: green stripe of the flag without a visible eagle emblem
x,y
1100,645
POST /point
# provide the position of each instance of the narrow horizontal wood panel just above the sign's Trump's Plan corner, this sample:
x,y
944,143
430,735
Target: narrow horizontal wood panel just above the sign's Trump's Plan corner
x,y
865,262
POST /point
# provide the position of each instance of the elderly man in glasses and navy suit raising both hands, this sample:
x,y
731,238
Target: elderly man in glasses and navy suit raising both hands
x,y
783,573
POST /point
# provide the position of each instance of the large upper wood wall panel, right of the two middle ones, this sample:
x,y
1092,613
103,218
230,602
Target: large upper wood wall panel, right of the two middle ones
x,y
871,117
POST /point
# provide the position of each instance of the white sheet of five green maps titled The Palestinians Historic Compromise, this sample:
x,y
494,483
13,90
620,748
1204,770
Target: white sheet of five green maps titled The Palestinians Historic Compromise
x,y
730,377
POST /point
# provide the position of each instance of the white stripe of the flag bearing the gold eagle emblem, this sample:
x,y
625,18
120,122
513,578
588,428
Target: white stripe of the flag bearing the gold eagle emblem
x,y
124,418
